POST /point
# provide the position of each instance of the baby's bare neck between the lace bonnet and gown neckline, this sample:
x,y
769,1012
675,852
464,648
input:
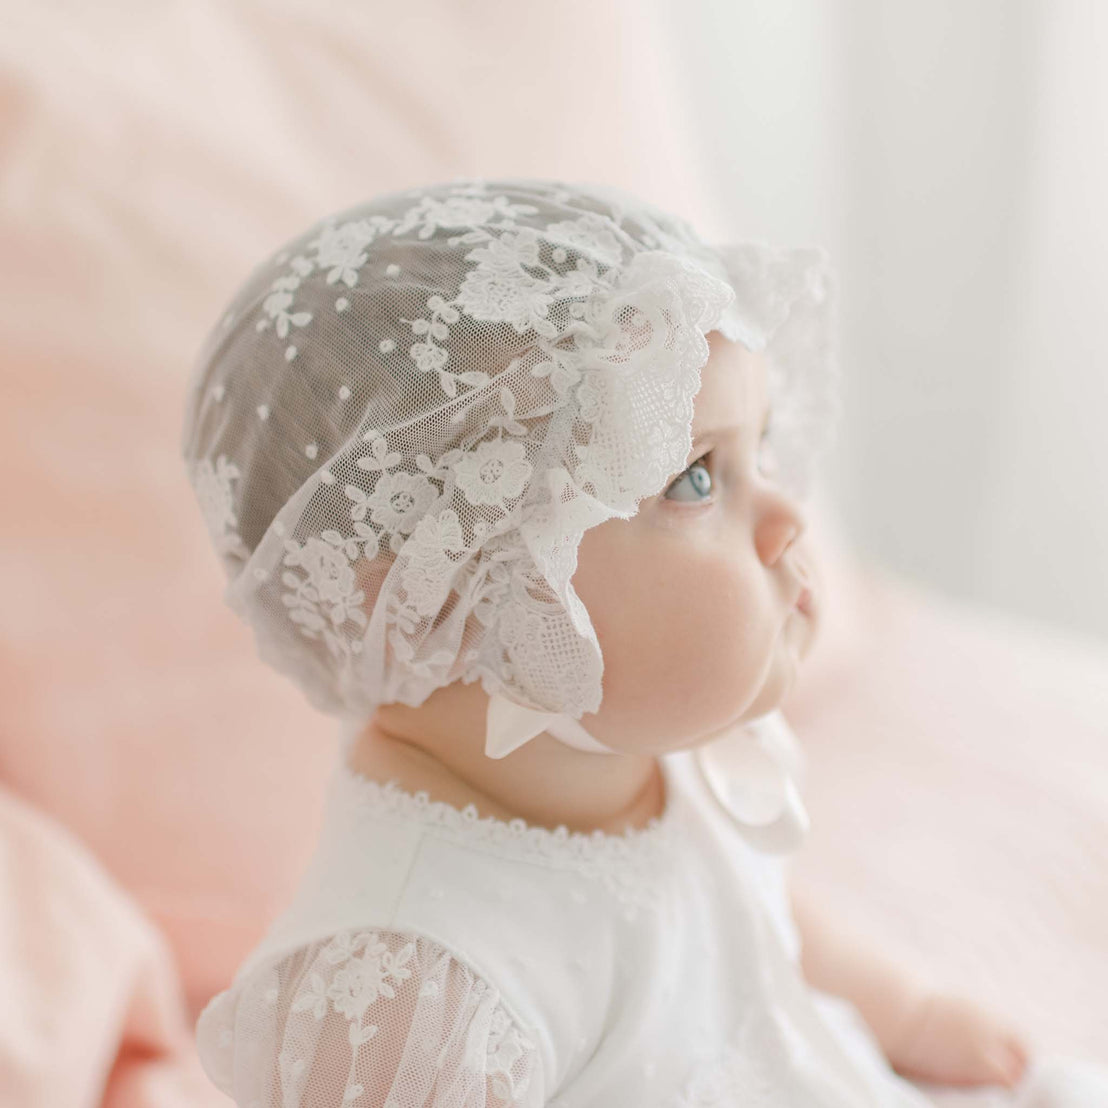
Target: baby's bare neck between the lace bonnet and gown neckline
x,y
439,748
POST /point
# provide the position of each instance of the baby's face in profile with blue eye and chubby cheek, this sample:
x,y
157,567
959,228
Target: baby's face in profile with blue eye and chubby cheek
x,y
694,599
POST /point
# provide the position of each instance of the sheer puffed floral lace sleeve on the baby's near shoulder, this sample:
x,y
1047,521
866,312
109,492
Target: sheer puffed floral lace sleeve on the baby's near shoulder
x,y
368,1020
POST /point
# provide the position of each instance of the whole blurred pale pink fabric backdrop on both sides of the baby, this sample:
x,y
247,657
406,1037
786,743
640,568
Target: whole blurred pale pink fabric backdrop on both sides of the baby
x,y
160,788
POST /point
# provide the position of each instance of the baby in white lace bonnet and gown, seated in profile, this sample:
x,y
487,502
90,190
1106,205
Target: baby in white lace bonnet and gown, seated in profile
x,y
508,476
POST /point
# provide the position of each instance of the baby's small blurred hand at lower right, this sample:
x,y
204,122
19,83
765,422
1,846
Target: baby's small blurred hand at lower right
x,y
949,1040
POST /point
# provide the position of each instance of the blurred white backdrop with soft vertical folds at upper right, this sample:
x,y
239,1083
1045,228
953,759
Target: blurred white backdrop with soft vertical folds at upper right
x,y
953,158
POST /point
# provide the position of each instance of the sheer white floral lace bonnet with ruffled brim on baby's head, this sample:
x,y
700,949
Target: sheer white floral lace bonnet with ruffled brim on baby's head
x,y
411,414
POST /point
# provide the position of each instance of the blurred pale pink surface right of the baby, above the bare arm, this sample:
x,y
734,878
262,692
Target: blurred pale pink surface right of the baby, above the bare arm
x,y
959,795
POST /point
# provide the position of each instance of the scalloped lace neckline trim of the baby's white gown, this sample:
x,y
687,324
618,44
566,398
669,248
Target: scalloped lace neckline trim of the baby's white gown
x,y
389,799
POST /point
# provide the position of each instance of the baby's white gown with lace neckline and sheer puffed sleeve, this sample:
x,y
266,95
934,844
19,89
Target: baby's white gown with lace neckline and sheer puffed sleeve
x,y
435,958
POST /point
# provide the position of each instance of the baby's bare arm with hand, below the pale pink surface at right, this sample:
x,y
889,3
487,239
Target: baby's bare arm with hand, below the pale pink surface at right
x,y
925,1033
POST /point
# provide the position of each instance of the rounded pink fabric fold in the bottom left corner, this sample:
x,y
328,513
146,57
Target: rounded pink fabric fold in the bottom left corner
x,y
91,1011
